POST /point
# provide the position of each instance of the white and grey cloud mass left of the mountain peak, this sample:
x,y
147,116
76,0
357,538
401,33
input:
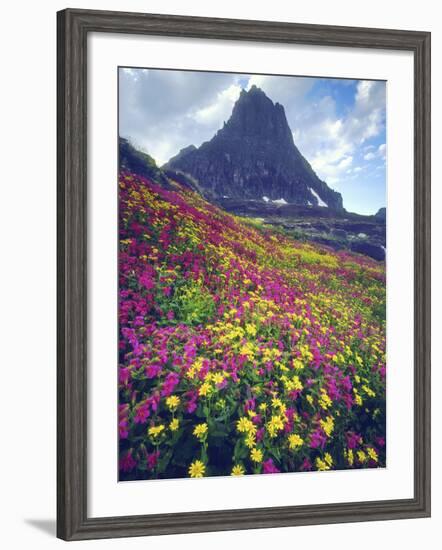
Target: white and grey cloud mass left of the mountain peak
x,y
162,111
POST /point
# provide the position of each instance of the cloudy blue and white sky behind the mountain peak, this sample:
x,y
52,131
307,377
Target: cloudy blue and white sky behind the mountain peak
x,y
339,125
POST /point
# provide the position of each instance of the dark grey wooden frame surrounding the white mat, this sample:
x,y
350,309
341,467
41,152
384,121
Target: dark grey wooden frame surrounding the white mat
x,y
73,28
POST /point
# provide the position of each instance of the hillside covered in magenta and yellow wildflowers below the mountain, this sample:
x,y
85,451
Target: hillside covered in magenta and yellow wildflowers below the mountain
x,y
242,350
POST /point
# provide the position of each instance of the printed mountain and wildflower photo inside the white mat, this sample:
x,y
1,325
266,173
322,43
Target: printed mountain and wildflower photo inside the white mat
x,y
252,274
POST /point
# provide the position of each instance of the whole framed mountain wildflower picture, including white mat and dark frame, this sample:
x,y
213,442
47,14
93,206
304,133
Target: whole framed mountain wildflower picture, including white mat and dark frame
x,y
243,274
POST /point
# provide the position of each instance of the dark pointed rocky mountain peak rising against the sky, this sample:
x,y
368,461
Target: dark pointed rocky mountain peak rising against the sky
x,y
254,156
